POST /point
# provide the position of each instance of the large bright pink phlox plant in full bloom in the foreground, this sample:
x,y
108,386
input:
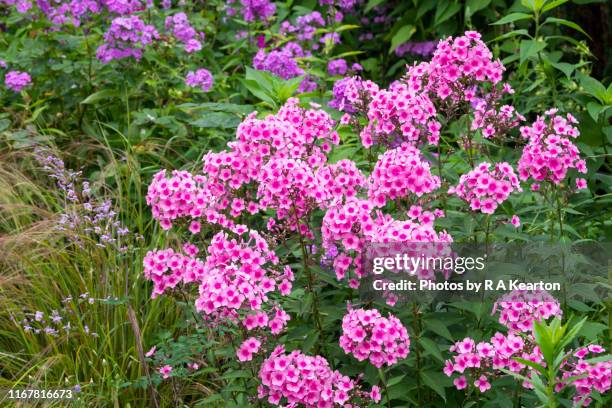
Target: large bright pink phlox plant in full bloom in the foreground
x,y
273,205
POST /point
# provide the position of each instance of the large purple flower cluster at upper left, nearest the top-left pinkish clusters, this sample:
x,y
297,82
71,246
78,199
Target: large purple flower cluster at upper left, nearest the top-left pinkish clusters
x,y
127,37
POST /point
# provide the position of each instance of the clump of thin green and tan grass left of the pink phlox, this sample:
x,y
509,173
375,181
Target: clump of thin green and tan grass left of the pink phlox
x,y
43,266
